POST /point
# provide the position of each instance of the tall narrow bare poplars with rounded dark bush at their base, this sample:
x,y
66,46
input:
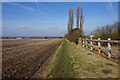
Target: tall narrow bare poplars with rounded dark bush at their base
x,y
74,34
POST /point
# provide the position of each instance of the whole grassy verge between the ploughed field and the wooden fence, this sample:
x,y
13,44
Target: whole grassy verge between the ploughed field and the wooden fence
x,y
74,61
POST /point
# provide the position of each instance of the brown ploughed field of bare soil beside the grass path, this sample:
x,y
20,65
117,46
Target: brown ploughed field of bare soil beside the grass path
x,y
22,58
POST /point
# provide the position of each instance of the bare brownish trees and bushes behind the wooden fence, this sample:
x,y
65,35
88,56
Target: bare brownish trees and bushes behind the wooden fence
x,y
108,31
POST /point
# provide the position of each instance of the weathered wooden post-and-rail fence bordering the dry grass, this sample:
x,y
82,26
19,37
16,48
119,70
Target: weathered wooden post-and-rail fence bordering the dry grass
x,y
109,53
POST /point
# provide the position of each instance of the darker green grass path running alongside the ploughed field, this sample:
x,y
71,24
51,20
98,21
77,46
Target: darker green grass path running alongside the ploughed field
x,y
63,63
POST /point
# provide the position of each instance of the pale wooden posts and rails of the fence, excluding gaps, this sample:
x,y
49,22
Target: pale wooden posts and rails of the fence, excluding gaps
x,y
89,43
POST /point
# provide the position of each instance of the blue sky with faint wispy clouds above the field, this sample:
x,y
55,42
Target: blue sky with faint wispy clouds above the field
x,y
40,19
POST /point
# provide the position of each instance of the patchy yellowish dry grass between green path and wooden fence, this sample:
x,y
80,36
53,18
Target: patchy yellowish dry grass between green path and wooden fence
x,y
91,65
